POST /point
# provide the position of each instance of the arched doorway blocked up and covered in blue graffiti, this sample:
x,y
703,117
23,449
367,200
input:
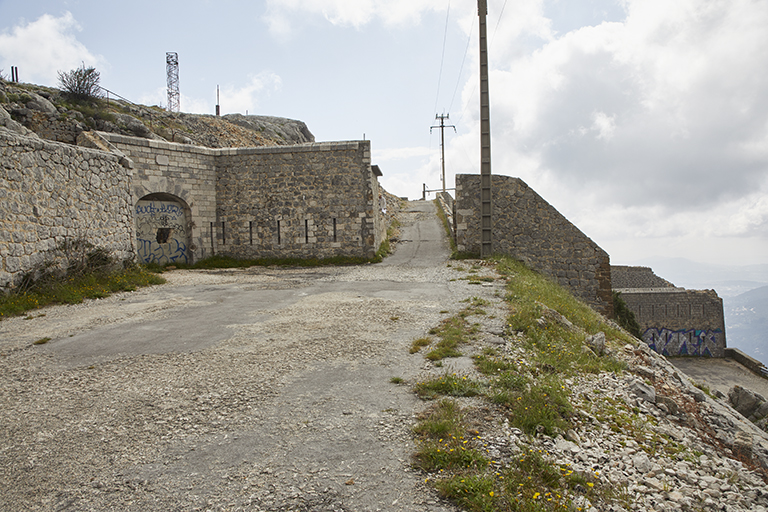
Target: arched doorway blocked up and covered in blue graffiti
x,y
162,229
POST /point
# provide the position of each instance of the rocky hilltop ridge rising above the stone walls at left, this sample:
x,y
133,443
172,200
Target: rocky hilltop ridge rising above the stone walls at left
x,y
51,114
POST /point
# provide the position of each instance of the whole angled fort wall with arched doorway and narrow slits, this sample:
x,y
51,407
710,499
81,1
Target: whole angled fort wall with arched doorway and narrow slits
x,y
309,200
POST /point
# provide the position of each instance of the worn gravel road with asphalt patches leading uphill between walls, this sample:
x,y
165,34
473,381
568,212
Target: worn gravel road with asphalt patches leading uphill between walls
x,y
255,389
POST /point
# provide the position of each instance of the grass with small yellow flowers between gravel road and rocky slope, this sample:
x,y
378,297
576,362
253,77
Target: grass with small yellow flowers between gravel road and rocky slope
x,y
523,385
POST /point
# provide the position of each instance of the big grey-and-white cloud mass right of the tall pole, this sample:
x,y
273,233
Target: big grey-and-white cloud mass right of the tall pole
x,y
673,97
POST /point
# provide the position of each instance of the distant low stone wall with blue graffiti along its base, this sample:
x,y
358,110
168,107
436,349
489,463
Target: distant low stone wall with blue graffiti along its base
x,y
679,322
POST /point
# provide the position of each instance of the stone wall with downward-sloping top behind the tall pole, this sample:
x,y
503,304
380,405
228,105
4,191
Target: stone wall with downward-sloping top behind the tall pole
x,y
529,229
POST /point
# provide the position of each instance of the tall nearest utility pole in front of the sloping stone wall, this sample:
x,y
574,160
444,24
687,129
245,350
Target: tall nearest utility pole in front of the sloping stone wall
x,y
486,207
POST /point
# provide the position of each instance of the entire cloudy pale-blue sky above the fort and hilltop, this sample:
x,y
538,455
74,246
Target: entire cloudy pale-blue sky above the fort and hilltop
x,y
645,122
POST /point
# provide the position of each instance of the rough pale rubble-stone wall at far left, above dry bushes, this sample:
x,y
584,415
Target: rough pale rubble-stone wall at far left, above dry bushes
x,y
51,193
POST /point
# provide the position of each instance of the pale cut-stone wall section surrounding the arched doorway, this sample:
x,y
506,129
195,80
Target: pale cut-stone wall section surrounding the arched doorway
x,y
183,172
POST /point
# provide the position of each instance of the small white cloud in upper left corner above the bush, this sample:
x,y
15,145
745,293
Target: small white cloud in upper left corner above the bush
x,y
43,47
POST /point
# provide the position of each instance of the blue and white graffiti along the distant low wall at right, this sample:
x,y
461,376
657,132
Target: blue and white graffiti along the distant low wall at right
x,y
686,342
